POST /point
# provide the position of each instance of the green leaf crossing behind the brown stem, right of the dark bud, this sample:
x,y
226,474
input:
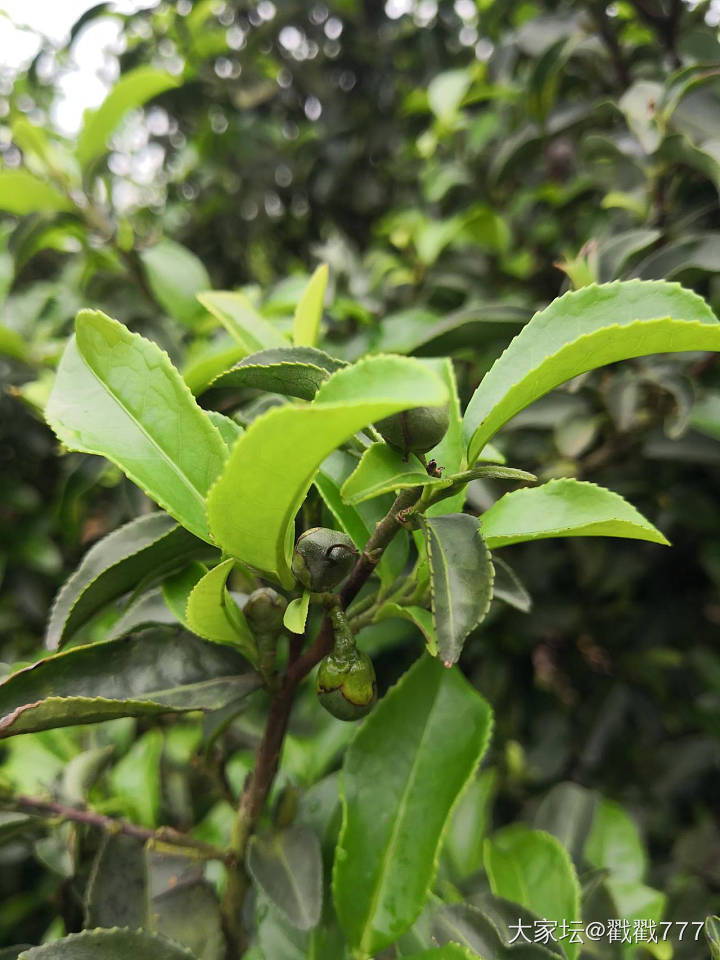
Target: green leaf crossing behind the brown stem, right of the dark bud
x,y
359,521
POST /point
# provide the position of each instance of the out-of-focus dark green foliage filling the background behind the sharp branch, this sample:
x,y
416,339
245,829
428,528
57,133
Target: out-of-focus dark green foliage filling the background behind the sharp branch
x,y
458,165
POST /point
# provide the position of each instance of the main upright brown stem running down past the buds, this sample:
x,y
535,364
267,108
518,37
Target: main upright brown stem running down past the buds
x,y
267,757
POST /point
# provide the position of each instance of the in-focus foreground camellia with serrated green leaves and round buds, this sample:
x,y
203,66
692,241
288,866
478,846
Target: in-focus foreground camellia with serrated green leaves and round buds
x,y
331,501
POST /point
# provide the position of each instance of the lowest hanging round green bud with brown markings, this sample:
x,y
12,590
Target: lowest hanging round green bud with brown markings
x,y
345,684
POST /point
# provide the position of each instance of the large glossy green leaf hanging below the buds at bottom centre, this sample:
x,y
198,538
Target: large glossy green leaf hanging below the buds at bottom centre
x,y
417,750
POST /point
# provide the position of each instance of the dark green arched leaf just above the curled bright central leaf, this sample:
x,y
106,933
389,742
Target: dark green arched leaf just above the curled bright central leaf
x,y
292,371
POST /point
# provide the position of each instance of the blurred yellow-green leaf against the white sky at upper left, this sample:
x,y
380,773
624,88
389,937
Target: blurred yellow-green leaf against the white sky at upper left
x,y
132,90
